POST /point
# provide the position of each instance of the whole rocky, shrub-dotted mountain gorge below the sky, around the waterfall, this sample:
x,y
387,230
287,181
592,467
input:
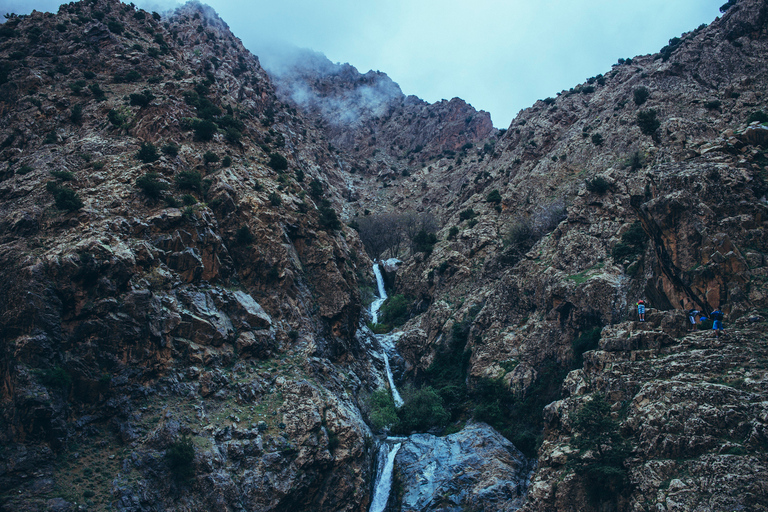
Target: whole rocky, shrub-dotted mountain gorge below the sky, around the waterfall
x,y
187,269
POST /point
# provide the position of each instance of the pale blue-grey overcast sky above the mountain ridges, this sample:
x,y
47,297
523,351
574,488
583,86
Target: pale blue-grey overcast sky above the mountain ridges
x,y
498,55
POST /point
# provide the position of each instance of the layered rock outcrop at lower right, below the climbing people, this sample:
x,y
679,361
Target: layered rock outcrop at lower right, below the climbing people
x,y
693,411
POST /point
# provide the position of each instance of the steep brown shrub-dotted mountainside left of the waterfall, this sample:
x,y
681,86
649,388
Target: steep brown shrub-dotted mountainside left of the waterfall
x,y
173,269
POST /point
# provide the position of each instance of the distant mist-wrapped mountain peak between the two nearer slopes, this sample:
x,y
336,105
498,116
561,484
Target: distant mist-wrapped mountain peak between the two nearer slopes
x,y
380,135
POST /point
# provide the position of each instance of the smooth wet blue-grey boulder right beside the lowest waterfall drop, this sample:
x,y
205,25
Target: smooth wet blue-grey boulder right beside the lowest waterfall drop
x,y
474,469
